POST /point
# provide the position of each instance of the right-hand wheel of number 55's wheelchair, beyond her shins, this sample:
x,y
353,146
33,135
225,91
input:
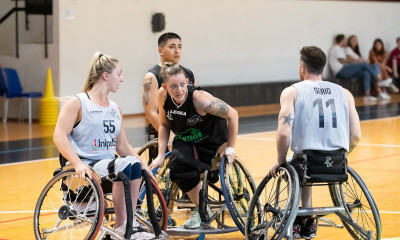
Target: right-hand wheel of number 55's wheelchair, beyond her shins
x,y
160,206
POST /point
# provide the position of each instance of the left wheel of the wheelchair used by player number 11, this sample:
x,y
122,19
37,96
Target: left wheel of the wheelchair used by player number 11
x,y
274,205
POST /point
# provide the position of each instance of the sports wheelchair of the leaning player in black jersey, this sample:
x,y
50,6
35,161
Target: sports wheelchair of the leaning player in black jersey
x,y
225,188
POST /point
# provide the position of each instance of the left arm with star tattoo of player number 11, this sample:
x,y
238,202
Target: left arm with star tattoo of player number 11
x,y
285,124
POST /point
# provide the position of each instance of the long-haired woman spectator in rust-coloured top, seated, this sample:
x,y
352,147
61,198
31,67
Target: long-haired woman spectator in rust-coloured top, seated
x,y
378,55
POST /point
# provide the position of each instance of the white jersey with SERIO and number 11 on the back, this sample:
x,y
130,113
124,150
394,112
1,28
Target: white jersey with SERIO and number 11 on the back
x,y
321,117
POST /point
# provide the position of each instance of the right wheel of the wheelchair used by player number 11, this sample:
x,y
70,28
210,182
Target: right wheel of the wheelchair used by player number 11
x,y
364,211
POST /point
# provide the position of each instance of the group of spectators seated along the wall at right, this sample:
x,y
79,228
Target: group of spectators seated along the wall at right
x,y
377,72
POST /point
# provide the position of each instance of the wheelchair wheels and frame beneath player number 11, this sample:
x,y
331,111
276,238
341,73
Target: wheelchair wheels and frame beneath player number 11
x,y
282,219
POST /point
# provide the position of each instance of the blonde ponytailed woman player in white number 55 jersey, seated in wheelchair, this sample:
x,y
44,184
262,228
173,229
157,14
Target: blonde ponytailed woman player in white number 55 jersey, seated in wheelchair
x,y
89,131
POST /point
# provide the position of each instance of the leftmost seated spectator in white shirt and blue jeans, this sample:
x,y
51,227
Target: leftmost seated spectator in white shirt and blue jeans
x,y
345,69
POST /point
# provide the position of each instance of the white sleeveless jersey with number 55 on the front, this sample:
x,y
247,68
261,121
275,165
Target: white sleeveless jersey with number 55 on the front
x,y
95,136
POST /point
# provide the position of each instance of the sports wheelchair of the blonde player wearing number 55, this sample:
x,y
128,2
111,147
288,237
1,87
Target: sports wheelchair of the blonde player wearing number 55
x,y
74,208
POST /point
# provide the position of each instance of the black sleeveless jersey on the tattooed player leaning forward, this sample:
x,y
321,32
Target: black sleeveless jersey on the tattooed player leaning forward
x,y
189,126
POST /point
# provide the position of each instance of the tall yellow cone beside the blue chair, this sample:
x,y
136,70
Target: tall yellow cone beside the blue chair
x,y
48,104
